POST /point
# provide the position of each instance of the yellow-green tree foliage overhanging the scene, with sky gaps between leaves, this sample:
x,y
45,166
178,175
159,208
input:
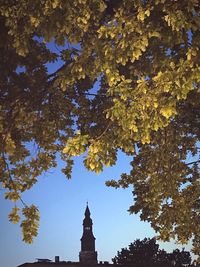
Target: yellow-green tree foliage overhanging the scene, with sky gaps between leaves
x,y
128,79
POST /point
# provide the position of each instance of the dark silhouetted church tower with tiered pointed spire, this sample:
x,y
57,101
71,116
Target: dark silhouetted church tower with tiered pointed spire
x,y
88,254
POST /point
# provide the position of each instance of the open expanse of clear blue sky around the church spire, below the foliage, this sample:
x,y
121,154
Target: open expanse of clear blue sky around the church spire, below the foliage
x,y
62,205
